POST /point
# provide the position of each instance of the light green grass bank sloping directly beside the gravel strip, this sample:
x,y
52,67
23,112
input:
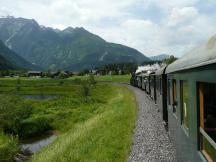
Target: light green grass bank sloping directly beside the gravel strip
x,y
105,136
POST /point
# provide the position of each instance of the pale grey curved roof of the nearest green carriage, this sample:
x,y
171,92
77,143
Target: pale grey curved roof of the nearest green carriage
x,y
200,56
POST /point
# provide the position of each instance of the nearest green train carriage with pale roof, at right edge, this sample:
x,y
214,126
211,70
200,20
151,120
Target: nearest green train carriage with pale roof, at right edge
x,y
191,102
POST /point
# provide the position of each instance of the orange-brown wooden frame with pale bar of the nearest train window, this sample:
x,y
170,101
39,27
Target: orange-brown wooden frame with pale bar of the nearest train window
x,y
204,140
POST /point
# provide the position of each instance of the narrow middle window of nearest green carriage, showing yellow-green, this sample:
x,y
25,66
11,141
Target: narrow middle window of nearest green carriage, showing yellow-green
x,y
184,104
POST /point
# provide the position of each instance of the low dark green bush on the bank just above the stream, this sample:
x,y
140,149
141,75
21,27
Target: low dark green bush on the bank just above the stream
x,y
35,126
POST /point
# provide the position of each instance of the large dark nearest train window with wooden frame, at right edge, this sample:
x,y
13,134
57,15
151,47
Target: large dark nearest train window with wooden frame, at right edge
x,y
207,100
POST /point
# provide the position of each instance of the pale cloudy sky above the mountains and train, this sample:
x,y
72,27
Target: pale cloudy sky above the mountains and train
x,y
151,26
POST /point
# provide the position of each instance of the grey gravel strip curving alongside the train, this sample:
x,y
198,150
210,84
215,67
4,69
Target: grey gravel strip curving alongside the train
x,y
151,142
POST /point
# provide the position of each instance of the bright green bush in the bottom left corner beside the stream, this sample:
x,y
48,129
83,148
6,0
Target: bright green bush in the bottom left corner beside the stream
x,y
8,147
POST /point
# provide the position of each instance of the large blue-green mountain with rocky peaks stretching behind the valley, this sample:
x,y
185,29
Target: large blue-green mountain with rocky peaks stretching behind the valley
x,y
71,48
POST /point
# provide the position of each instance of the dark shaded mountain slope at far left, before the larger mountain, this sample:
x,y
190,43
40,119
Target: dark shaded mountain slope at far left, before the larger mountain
x,y
9,60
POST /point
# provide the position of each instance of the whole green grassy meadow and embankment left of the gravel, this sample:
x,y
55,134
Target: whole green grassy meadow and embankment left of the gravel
x,y
97,127
